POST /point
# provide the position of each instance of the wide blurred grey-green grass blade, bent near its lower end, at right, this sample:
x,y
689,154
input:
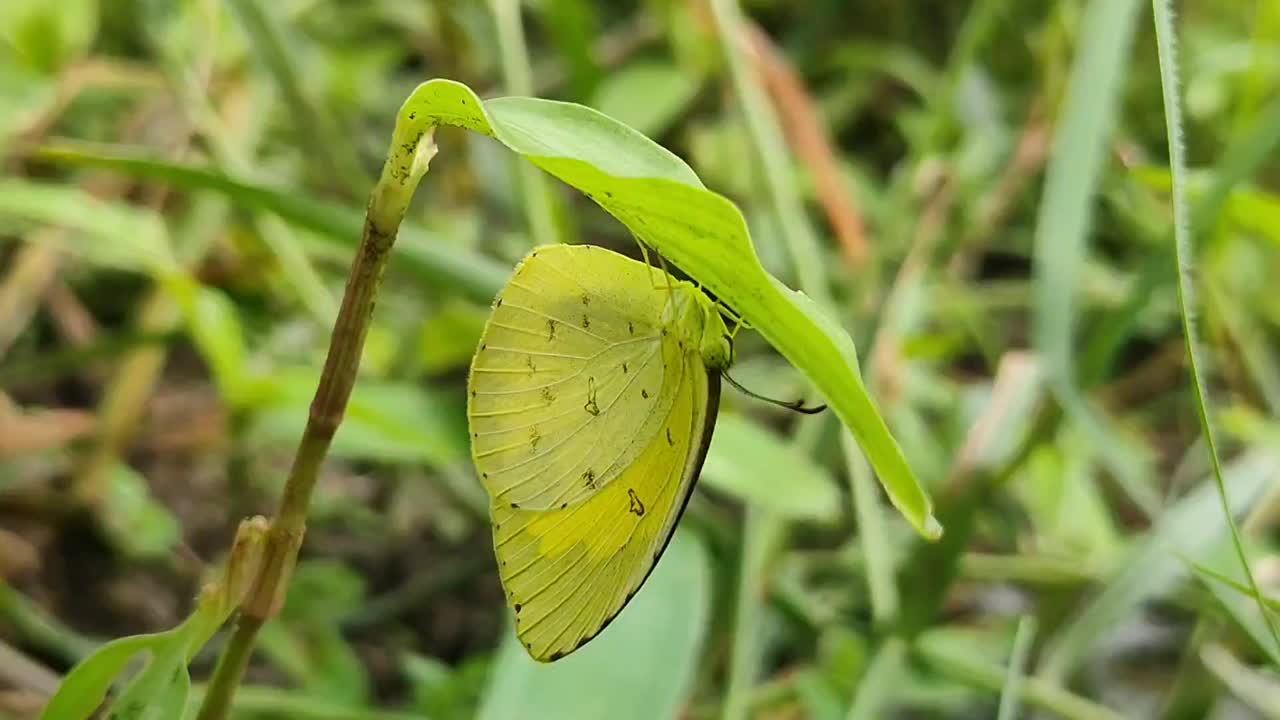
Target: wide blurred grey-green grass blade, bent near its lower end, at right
x,y
1063,227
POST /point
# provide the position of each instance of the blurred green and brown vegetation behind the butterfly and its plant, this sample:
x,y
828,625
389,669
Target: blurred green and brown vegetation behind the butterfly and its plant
x,y
182,188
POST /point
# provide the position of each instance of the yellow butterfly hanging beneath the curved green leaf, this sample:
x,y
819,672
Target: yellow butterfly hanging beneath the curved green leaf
x,y
593,399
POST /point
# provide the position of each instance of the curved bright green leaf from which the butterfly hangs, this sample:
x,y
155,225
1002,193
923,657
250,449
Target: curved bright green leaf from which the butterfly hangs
x,y
661,200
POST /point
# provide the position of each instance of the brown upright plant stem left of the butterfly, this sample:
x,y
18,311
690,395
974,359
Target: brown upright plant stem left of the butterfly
x,y
412,151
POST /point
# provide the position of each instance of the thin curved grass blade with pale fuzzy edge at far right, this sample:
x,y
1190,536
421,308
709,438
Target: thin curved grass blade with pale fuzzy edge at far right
x,y
1185,252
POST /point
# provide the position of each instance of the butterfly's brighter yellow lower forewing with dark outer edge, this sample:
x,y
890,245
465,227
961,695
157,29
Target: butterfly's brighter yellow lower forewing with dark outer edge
x,y
569,572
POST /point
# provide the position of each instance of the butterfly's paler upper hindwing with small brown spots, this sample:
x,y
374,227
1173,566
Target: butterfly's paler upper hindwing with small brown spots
x,y
565,390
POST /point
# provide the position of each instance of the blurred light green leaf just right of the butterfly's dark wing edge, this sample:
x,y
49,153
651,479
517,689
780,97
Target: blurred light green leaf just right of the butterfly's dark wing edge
x,y
744,462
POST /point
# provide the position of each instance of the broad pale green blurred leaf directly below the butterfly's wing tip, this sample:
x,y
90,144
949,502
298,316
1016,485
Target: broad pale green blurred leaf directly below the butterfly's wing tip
x,y
642,667
